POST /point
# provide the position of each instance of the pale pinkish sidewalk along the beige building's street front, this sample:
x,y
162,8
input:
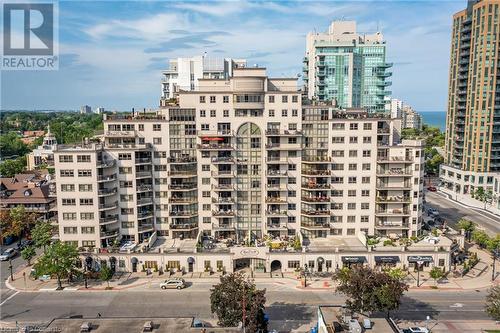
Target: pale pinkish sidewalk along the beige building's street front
x,y
478,278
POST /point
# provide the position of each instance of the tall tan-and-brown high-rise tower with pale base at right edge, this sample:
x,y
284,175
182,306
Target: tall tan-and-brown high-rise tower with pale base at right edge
x,y
472,146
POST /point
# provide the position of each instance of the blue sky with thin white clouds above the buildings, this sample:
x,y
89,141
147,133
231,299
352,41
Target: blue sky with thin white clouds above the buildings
x,y
111,53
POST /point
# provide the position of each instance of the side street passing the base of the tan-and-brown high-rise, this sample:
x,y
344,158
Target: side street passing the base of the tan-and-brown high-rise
x,y
452,212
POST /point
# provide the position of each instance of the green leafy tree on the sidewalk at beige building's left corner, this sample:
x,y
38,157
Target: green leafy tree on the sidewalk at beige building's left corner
x,y
59,259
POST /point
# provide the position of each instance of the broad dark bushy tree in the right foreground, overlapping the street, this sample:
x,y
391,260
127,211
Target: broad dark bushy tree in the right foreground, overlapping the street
x,y
370,291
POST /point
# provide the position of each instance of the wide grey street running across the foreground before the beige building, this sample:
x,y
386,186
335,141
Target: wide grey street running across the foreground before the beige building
x,y
288,307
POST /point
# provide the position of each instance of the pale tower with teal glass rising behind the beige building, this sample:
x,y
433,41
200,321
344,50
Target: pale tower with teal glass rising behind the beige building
x,y
347,67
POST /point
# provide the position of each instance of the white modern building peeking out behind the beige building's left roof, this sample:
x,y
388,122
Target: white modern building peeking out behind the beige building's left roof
x,y
183,73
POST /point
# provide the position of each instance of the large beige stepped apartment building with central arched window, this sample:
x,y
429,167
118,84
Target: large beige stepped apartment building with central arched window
x,y
238,172
